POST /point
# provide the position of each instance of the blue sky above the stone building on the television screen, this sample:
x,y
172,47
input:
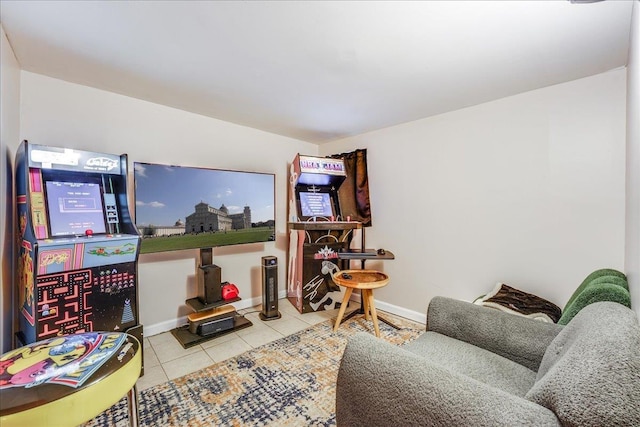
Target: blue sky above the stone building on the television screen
x,y
165,194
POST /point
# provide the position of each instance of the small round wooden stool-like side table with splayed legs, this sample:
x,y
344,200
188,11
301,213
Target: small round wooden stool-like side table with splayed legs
x,y
366,281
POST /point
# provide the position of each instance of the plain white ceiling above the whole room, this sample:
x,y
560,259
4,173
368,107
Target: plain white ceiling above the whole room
x,y
318,70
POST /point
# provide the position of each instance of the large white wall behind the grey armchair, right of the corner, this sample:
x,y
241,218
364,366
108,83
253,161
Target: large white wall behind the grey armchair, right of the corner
x,y
528,190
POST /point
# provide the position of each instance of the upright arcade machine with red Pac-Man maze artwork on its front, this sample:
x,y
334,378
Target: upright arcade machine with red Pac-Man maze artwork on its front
x,y
77,245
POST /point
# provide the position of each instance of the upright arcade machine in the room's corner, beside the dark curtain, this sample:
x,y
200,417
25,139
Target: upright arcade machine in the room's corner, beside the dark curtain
x,y
317,233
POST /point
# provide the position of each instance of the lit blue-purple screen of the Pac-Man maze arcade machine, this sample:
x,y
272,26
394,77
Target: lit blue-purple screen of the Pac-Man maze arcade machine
x,y
74,207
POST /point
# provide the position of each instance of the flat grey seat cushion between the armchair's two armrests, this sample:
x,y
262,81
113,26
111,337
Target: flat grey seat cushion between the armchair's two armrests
x,y
475,362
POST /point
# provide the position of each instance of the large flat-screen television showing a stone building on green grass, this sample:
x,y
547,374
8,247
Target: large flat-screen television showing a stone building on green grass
x,y
181,207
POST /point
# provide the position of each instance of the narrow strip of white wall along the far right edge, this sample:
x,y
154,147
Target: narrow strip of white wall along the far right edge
x,y
632,247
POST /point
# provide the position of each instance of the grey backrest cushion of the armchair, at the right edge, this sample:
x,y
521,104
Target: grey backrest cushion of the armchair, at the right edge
x,y
590,373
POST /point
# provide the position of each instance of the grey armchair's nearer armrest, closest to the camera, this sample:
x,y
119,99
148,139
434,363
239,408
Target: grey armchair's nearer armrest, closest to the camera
x,y
380,384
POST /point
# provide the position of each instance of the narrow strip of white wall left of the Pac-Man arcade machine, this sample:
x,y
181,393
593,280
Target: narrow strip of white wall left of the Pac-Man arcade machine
x,y
9,135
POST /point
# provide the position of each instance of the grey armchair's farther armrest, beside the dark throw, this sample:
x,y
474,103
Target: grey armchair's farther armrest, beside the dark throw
x,y
517,338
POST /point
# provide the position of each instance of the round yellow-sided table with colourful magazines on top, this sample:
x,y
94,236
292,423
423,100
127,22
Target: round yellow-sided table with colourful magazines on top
x,y
68,380
